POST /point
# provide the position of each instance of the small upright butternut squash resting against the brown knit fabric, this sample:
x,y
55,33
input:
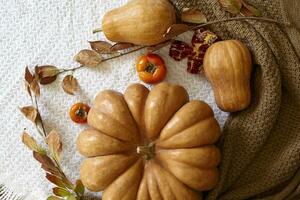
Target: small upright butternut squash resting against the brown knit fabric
x,y
227,65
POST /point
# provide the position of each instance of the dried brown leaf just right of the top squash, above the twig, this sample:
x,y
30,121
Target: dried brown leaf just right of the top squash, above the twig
x,y
193,16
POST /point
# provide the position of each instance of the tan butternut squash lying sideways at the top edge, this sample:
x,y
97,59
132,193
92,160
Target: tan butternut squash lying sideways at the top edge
x,y
141,22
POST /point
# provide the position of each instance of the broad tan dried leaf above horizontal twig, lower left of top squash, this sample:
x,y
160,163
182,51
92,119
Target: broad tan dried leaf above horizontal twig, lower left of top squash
x,y
88,58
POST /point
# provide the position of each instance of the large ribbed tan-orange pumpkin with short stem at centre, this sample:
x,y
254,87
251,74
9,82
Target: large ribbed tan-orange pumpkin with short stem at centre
x,y
149,145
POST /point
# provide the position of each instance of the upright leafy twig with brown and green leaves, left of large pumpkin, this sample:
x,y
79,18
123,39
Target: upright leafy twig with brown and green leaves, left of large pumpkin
x,y
50,157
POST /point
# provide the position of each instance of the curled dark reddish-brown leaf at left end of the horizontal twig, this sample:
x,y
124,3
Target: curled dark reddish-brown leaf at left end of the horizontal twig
x,y
46,74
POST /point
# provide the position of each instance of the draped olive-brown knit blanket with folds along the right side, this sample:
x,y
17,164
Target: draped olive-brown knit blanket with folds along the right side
x,y
261,145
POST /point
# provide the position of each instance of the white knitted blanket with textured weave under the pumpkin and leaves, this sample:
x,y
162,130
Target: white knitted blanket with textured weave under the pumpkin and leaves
x,y
50,32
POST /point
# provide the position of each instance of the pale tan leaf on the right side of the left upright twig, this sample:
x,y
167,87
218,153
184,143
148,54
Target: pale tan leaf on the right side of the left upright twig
x,y
55,145
